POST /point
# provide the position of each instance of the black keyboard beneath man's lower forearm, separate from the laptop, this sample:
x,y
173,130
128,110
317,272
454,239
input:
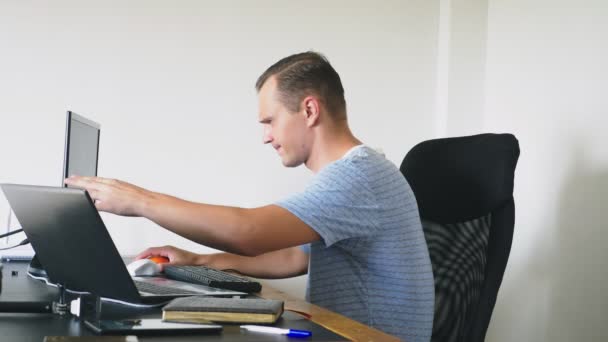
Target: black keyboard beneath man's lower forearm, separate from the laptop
x,y
211,277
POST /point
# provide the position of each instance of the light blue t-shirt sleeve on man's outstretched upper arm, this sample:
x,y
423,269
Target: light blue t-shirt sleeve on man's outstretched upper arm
x,y
338,205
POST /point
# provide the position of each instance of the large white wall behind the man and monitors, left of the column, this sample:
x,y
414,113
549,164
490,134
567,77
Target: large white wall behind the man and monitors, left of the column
x,y
172,83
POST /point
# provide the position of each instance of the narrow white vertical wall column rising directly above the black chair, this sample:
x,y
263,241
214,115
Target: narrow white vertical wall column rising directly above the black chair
x,y
460,67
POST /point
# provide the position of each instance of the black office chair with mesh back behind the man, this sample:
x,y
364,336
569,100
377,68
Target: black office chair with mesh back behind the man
x,y
464,189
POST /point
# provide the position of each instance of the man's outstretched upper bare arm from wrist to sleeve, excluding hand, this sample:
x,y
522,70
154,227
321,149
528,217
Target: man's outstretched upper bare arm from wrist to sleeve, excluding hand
x,y
248,232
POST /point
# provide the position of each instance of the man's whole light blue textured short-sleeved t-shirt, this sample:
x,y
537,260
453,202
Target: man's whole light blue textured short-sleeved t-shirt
x,y
372,262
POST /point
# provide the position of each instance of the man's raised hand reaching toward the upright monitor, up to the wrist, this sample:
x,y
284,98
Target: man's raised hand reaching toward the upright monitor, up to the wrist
x,y
112,195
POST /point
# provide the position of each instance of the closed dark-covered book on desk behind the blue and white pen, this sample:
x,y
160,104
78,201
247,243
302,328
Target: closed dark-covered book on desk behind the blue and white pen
x,y
234,310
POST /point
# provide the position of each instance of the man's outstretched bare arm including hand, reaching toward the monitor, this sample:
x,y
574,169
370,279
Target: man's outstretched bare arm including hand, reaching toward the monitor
x,y
247,232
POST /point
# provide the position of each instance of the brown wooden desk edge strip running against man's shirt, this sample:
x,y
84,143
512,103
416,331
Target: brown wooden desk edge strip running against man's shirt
x,y
332,321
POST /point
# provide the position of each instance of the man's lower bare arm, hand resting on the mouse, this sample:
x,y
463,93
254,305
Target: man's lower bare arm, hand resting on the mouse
x,y
284,263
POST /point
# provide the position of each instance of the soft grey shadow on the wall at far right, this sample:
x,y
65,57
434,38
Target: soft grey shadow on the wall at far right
x,y
578,300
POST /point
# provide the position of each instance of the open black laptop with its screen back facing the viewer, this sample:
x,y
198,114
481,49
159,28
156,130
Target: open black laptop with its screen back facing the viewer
x,y
75,248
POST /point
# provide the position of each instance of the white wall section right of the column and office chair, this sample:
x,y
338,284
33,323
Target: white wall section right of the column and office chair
x,y
546,81
